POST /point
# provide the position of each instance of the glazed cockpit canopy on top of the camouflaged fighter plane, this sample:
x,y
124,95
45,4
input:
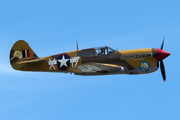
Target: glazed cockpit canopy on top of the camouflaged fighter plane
x,y
95,51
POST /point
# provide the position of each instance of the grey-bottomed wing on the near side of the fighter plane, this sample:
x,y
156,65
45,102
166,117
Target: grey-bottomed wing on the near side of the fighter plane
x,y
100,68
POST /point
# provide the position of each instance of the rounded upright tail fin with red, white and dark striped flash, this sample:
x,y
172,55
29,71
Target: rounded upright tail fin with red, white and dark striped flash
x,y
21,51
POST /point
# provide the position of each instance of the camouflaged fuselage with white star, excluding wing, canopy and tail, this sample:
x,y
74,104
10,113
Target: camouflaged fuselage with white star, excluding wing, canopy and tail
x,y
136,61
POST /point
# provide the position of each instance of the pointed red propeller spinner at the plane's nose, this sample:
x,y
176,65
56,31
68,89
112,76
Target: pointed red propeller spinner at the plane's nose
x,y
161,54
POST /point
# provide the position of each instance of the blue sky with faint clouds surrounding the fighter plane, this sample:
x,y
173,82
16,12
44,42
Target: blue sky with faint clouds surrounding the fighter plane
x,y
53,26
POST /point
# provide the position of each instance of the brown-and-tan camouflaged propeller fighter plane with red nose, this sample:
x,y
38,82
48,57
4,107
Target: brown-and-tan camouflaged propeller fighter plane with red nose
x,y
92,61
